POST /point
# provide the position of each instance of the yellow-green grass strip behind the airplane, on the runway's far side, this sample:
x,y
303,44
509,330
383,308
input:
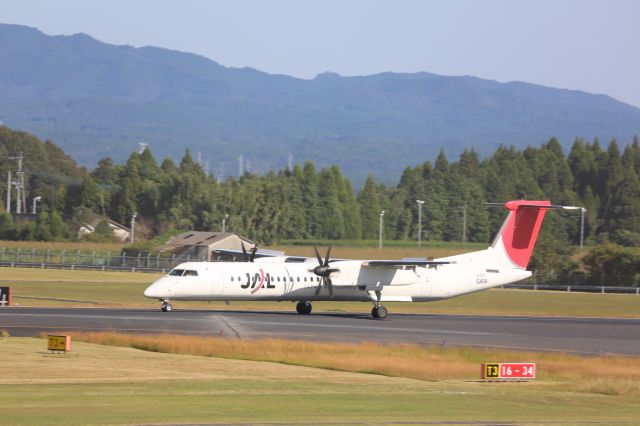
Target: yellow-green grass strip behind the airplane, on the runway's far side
x,y
36,287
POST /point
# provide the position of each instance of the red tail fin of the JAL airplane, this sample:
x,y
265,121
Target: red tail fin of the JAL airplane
x,y
520,230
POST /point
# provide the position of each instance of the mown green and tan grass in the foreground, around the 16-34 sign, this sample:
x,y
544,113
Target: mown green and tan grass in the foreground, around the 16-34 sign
x,y
95,384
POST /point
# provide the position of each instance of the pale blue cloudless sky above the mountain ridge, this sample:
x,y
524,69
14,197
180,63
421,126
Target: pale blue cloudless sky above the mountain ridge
x,y
587,45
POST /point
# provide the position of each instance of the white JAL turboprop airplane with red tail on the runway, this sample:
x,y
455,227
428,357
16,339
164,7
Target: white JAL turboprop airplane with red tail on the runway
x,y
307,279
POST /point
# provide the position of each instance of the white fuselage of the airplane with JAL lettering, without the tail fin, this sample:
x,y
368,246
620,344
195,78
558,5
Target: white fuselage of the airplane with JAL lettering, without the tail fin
x,y
275,279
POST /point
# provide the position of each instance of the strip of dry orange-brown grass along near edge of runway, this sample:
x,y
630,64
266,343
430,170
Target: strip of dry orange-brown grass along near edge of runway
x,y
603,375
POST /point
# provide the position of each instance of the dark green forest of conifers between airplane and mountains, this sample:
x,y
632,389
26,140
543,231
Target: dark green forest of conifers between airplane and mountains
x,y
311,204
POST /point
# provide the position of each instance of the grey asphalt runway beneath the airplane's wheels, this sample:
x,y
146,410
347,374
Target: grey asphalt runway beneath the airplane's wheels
x,y
580,335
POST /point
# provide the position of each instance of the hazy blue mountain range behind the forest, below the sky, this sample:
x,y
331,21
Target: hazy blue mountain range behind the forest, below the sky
x,y
95,100
